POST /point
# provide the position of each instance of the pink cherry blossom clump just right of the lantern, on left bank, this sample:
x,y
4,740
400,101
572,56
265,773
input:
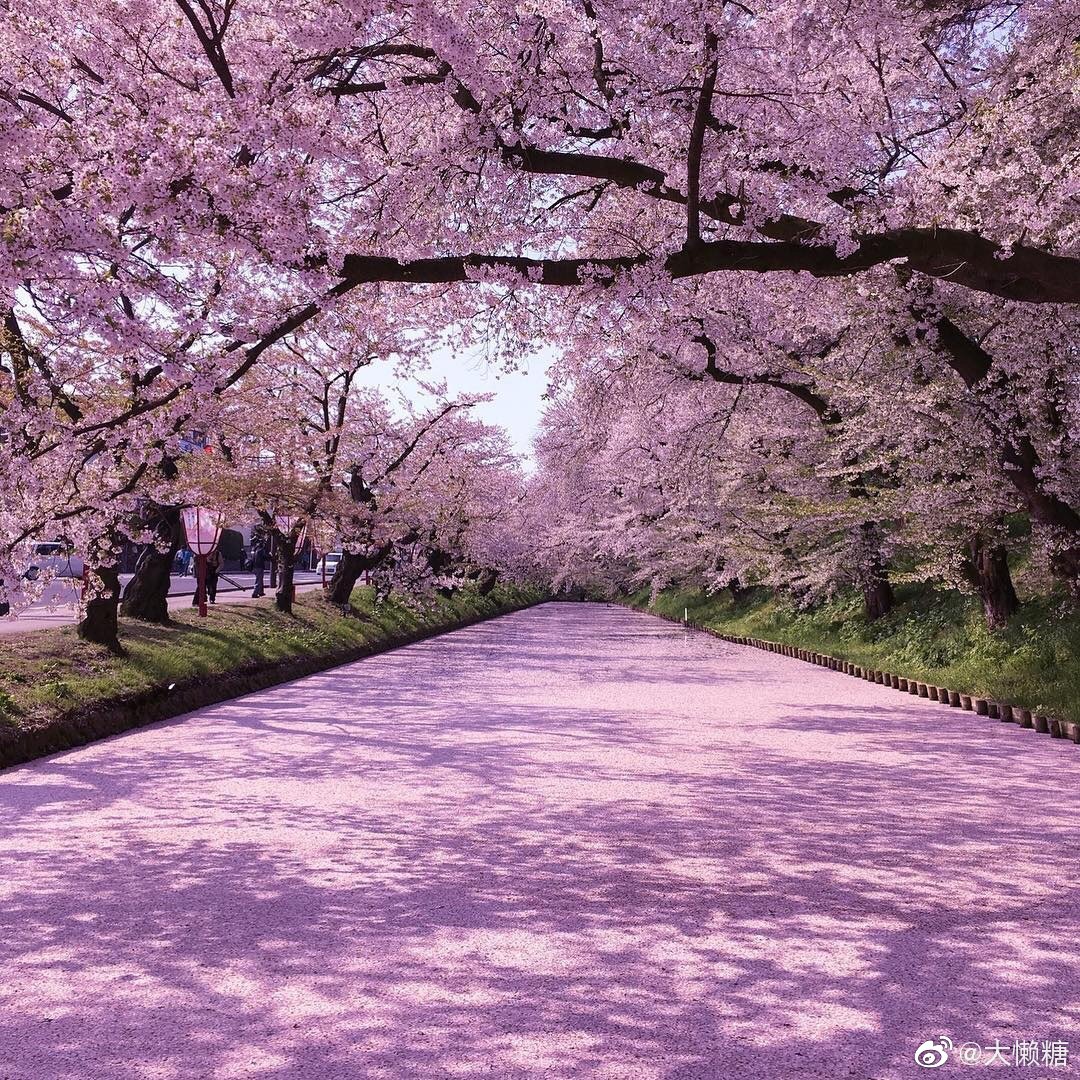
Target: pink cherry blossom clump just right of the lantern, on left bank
x,y
403,489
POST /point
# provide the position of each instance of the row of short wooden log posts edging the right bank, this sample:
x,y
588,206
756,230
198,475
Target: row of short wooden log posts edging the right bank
x,y
1001,711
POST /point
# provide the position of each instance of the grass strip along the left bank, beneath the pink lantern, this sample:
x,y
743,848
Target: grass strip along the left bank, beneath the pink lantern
x,y
48,673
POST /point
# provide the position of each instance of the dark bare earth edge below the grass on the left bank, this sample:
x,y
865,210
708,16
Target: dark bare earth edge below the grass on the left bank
x,y
85,726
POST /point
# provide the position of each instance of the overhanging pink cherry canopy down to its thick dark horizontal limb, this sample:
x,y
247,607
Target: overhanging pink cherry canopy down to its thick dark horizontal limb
x,y
206,178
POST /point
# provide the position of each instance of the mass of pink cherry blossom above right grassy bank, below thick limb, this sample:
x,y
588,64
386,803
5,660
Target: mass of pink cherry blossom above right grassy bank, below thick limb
x,y
866,440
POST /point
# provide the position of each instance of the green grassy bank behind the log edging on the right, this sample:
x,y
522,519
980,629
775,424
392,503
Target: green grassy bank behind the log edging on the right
x,y
935,638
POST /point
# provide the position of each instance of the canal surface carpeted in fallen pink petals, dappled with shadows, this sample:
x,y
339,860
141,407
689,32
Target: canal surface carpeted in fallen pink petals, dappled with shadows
x,y
575,842
